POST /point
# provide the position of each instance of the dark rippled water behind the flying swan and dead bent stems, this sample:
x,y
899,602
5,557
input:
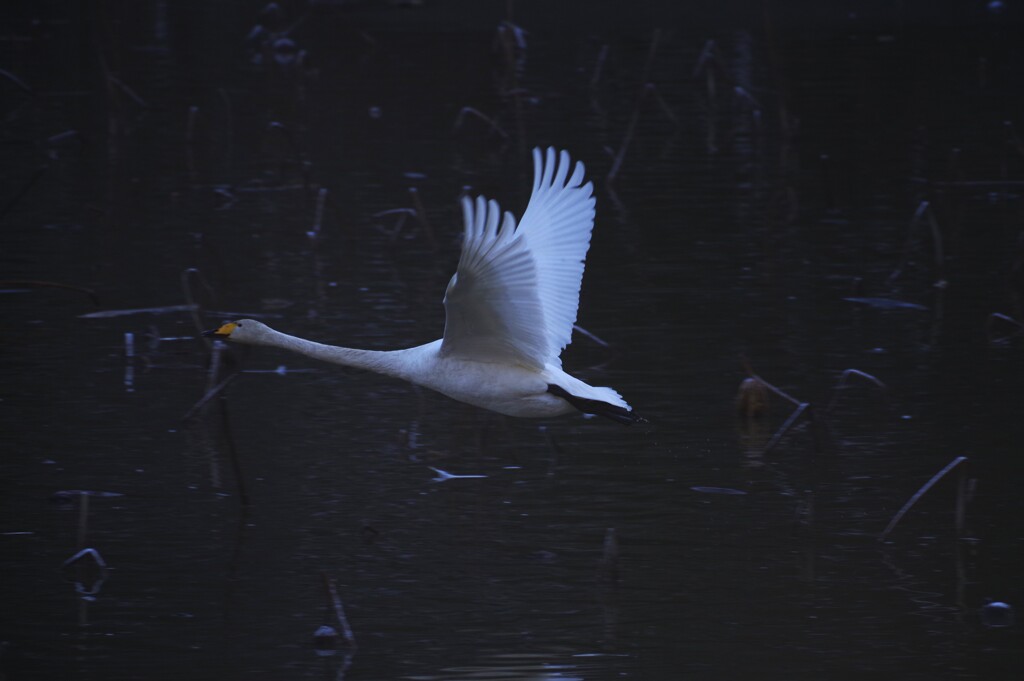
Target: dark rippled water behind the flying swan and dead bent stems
x,y
739,227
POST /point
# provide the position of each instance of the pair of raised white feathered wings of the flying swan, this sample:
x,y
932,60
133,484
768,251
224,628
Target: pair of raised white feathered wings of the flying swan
x,y
517,292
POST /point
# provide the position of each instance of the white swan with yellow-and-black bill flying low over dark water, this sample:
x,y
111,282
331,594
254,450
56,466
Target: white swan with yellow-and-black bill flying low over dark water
x,y
509,310
